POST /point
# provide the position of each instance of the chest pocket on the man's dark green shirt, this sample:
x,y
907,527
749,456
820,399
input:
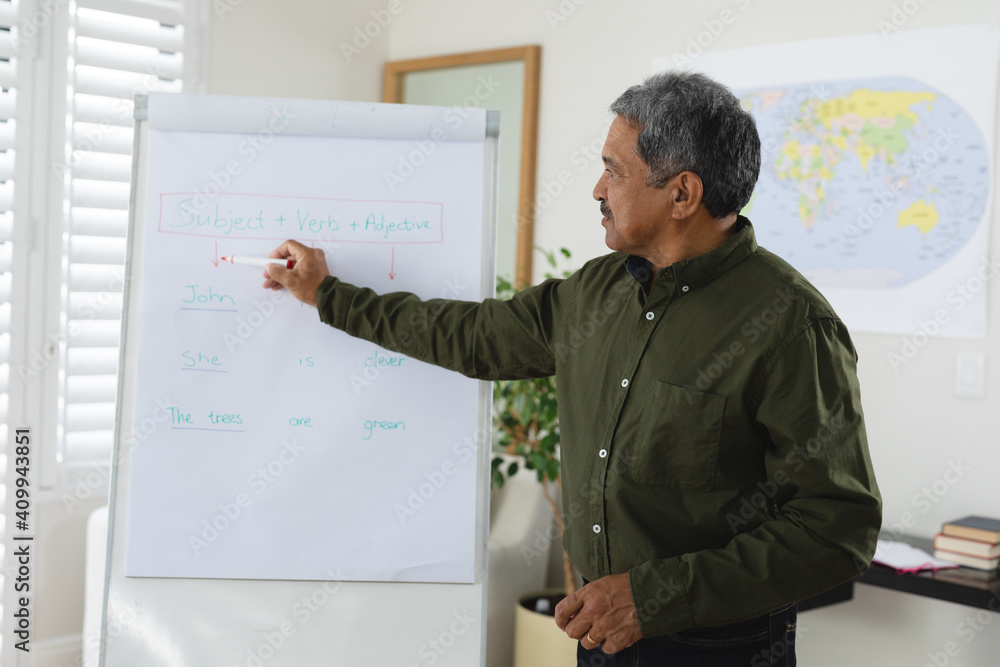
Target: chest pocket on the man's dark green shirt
x,y
677,438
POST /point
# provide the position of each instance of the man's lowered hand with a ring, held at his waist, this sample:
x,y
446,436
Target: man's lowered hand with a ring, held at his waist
x,y
602,613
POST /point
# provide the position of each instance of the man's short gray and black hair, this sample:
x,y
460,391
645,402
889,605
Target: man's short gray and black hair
x,y
688,122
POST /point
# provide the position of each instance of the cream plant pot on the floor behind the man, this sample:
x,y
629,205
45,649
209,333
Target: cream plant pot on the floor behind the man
x,y
538,641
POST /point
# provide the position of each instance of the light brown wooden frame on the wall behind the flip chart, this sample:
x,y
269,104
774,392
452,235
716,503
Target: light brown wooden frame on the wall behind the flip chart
x,y
393,90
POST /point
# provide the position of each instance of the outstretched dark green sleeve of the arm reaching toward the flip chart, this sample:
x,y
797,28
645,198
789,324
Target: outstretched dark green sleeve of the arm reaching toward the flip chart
x,y
490,340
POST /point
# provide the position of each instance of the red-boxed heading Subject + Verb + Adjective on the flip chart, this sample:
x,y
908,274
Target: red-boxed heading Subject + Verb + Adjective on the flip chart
x,y
306,218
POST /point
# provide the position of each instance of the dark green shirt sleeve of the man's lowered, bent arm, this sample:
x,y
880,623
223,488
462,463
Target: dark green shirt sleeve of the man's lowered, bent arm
x,y
822,502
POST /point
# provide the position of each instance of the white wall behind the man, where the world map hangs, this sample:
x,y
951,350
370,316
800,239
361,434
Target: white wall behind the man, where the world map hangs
x,y
916,426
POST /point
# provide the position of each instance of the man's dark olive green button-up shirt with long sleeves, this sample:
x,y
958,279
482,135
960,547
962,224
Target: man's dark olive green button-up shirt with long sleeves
x,y
712,438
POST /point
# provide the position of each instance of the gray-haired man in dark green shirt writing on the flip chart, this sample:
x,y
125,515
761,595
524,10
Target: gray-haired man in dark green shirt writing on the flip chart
x,y
715,463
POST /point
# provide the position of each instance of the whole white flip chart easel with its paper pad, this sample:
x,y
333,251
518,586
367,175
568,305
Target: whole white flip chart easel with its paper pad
x,y
283,494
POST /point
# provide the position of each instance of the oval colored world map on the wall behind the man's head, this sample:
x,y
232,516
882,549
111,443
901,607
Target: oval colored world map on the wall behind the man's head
x,y
869,183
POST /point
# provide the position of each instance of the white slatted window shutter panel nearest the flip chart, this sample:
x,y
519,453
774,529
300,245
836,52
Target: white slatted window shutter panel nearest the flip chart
x,y
117,48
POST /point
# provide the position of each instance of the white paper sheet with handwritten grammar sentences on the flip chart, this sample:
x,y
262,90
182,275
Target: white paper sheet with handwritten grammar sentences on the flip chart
x,y
290,450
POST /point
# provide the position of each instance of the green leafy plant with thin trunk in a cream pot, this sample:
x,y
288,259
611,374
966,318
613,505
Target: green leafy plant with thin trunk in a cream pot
x,y
526,427
